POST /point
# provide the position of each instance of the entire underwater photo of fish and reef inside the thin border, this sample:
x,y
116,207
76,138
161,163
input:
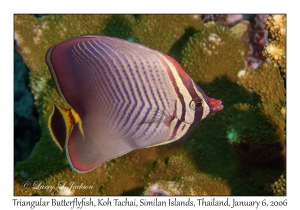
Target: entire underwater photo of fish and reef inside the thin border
x,y
219,85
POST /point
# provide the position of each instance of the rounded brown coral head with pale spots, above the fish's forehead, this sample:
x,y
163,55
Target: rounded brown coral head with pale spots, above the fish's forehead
x,y
208,54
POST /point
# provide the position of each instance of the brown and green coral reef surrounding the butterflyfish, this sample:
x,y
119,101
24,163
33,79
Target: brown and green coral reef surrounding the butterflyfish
x,y
238,151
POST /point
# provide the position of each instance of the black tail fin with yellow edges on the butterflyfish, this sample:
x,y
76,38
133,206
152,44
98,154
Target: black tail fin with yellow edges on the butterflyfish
x,y
60,125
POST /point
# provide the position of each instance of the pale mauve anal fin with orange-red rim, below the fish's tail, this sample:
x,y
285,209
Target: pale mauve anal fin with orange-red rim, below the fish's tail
x,y
87,154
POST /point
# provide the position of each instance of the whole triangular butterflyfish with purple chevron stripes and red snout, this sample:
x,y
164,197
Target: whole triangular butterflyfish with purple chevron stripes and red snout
x,y
123,96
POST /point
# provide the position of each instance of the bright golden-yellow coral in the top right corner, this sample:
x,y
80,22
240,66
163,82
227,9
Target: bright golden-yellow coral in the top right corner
x,y
276,49
